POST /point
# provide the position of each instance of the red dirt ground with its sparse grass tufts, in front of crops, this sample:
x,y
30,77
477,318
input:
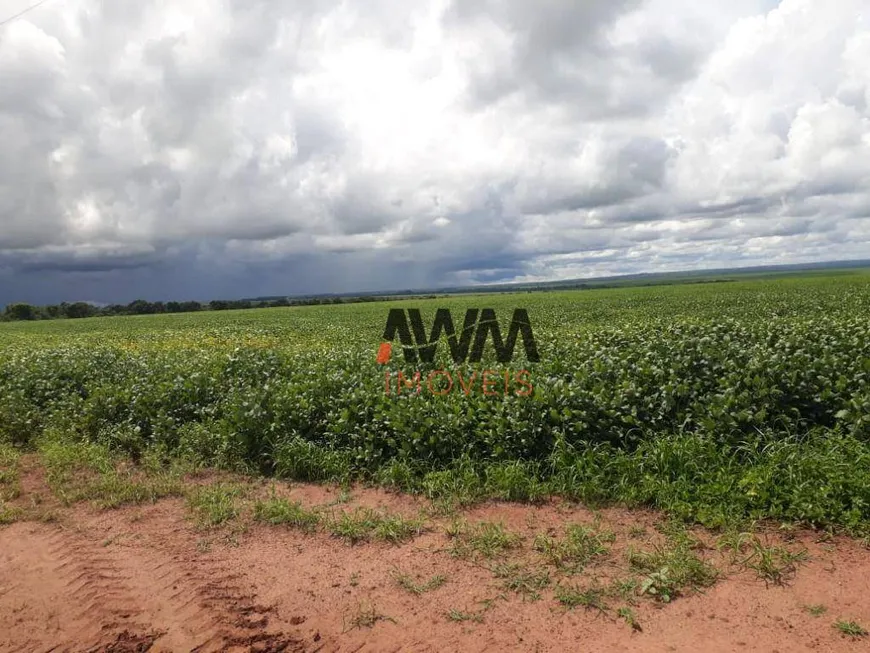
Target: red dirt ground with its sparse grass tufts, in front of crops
x,y
149,577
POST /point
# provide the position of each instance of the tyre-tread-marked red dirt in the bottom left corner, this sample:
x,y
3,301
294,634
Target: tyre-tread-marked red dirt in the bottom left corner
x,y
105,599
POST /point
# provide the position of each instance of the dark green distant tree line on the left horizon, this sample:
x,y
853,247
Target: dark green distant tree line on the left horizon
x,y
21,311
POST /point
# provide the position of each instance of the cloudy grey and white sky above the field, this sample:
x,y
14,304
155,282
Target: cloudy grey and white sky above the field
x,y
202,149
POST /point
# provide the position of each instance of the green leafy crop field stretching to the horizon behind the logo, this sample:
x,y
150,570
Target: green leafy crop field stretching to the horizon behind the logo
x,y
714,402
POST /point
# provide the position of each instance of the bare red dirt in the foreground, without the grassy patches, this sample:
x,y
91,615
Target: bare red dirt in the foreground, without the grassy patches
x,y
143,578
